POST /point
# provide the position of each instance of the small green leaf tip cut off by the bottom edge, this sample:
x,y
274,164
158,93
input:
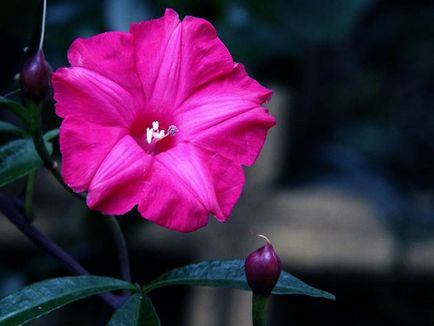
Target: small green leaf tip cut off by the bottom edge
x,y
137,311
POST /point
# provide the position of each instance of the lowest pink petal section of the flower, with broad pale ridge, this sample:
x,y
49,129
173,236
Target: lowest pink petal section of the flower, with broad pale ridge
x,y
186,184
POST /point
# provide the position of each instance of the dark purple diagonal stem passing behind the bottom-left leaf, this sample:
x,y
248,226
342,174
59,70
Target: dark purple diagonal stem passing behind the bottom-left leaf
x,y
10,208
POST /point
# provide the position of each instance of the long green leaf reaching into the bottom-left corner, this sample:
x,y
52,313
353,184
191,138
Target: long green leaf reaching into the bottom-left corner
x,y
40,298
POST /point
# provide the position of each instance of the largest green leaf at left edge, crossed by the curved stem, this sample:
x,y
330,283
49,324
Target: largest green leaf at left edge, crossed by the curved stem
x,y
17,159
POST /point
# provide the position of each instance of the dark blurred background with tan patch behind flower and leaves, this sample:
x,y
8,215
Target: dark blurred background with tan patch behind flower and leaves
x,y
344,186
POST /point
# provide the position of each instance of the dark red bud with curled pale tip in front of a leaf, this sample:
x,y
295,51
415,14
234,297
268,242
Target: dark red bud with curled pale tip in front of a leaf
x,y
262,268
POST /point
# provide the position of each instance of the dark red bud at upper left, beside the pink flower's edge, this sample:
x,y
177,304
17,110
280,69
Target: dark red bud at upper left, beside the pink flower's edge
x,y
35,78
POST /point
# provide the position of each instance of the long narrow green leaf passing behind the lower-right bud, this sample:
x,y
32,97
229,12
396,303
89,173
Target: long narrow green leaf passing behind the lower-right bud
x,y
230,274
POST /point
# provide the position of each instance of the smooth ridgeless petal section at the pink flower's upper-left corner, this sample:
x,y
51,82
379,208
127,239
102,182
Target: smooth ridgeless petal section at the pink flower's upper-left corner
x,y
110,54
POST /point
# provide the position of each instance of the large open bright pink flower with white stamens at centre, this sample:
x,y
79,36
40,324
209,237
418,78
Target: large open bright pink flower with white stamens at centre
x,y
160,117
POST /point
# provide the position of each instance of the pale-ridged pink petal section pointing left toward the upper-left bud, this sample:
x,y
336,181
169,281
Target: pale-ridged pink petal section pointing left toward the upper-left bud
x,y
89,96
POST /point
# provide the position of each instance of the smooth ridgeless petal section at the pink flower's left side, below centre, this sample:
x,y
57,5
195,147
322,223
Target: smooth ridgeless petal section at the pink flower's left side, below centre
x,y
84,146
